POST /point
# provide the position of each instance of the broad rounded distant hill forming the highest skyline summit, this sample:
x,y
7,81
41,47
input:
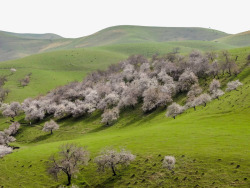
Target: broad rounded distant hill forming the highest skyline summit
x,y
139,34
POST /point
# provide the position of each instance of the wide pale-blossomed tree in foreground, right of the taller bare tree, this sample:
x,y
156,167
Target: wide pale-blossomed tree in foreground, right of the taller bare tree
x,y
111,158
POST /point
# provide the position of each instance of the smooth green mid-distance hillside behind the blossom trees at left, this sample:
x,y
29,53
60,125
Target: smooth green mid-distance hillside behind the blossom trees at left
x,y
52,69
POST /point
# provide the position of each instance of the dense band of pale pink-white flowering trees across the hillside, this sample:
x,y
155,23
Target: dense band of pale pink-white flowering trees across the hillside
x,y
136,80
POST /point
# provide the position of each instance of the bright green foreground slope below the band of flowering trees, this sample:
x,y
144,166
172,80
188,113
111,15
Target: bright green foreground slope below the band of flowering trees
x,y
208,143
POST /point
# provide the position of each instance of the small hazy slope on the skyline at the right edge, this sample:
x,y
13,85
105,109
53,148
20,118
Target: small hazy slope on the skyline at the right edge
x,y
240,39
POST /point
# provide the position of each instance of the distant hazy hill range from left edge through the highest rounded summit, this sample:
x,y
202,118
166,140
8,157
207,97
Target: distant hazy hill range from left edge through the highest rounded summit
x,y
14,45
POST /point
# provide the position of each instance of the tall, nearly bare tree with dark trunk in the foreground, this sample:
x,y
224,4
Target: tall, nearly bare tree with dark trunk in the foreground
x,y
68,161
